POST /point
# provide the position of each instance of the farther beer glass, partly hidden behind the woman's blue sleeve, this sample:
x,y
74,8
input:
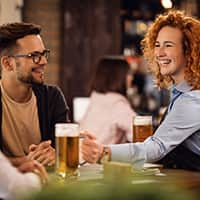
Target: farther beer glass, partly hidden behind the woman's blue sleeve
x,y
142,128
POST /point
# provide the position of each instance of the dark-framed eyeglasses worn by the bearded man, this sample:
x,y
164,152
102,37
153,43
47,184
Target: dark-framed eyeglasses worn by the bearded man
x,y
36,56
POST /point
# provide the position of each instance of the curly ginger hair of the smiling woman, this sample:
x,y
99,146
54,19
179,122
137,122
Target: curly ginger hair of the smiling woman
x,y
190,28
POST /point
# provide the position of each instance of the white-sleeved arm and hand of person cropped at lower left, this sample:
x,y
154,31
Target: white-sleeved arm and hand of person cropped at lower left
x,y
26,178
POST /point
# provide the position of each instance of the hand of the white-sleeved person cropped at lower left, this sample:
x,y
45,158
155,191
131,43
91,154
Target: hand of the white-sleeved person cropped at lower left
x,y
35,167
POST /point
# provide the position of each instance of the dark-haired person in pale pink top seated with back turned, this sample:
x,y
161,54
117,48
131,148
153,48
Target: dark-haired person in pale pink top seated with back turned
x,y
109,115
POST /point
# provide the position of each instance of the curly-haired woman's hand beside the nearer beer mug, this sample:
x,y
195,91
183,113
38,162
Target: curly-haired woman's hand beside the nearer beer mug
x,y
91,150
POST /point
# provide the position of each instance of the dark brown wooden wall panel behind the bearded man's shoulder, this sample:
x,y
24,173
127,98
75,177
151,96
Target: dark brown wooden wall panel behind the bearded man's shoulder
x,y
91,29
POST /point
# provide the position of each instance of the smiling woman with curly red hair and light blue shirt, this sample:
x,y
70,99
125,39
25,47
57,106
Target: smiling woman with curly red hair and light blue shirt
x,y
172,48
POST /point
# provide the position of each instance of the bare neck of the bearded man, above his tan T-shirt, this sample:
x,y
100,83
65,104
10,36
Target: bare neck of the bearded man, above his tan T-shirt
x,y
18,92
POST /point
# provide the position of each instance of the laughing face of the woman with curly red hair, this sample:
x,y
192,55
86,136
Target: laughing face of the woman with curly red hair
x,y
169,53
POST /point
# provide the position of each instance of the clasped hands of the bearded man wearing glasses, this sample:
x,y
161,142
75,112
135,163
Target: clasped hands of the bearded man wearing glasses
x,y
43,153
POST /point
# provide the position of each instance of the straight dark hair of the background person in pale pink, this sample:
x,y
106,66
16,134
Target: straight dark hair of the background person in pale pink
x,y
111,75
